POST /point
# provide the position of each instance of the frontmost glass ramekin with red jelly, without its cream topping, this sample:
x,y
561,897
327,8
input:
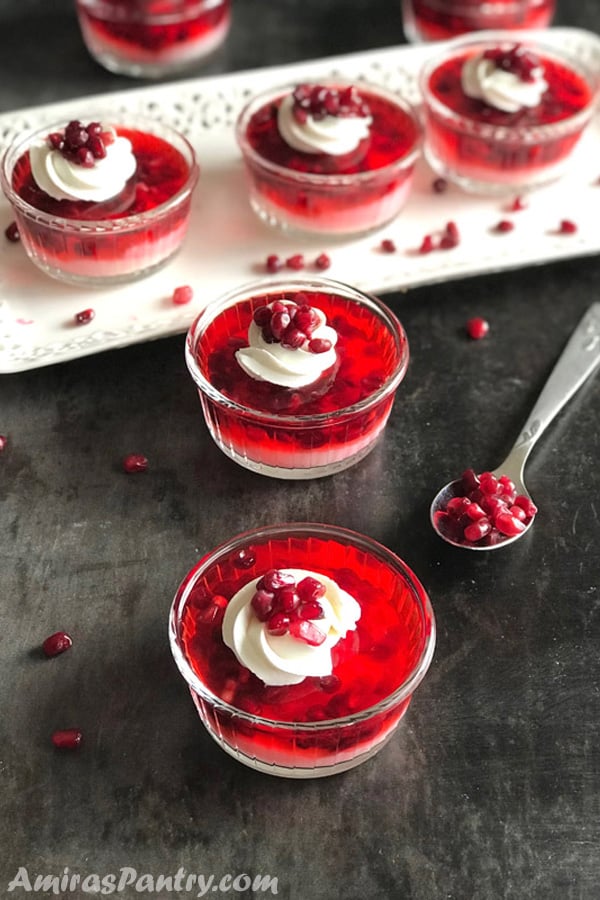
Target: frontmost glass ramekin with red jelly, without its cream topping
x,y
327,746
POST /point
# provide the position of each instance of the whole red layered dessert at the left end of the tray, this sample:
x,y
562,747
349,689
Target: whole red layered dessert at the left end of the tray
x,y
101,203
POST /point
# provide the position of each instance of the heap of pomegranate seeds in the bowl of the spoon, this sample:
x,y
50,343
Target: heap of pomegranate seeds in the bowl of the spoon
x,y
486,510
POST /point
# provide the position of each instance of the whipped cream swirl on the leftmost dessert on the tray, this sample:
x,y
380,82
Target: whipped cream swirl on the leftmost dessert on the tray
x,y
64,179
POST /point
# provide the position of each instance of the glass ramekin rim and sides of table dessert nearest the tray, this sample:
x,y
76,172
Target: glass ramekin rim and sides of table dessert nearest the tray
x,y
297,446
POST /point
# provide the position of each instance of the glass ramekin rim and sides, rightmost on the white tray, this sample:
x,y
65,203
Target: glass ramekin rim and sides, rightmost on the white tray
x,y
488,158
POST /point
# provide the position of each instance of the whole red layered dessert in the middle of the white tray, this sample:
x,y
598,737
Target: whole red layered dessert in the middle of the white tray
x,y
329,158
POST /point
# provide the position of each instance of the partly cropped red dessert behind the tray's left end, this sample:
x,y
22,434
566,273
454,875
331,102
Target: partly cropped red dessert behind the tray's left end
x,y
152,38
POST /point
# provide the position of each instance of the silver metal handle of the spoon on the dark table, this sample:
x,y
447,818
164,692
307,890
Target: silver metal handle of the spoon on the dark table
x,y
575,364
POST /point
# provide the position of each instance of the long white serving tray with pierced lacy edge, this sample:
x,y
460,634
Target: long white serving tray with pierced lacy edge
x,y
227,244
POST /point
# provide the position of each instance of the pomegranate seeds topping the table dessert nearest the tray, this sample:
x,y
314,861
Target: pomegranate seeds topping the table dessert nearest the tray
x,y
291,325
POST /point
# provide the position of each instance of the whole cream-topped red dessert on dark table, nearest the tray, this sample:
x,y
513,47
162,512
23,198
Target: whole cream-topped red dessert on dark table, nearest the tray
x,y
296,378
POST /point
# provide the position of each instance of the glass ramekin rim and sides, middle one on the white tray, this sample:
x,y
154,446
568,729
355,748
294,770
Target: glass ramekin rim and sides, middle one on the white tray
x,y
334,205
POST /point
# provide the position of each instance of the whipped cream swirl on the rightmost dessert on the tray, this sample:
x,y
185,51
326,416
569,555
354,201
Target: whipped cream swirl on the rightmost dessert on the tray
x,y
483,79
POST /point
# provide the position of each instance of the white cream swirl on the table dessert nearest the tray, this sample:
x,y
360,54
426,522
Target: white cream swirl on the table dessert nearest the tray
x,y
284,365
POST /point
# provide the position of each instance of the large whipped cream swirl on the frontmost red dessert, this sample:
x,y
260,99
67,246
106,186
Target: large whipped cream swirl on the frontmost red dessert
x,y
284,659
